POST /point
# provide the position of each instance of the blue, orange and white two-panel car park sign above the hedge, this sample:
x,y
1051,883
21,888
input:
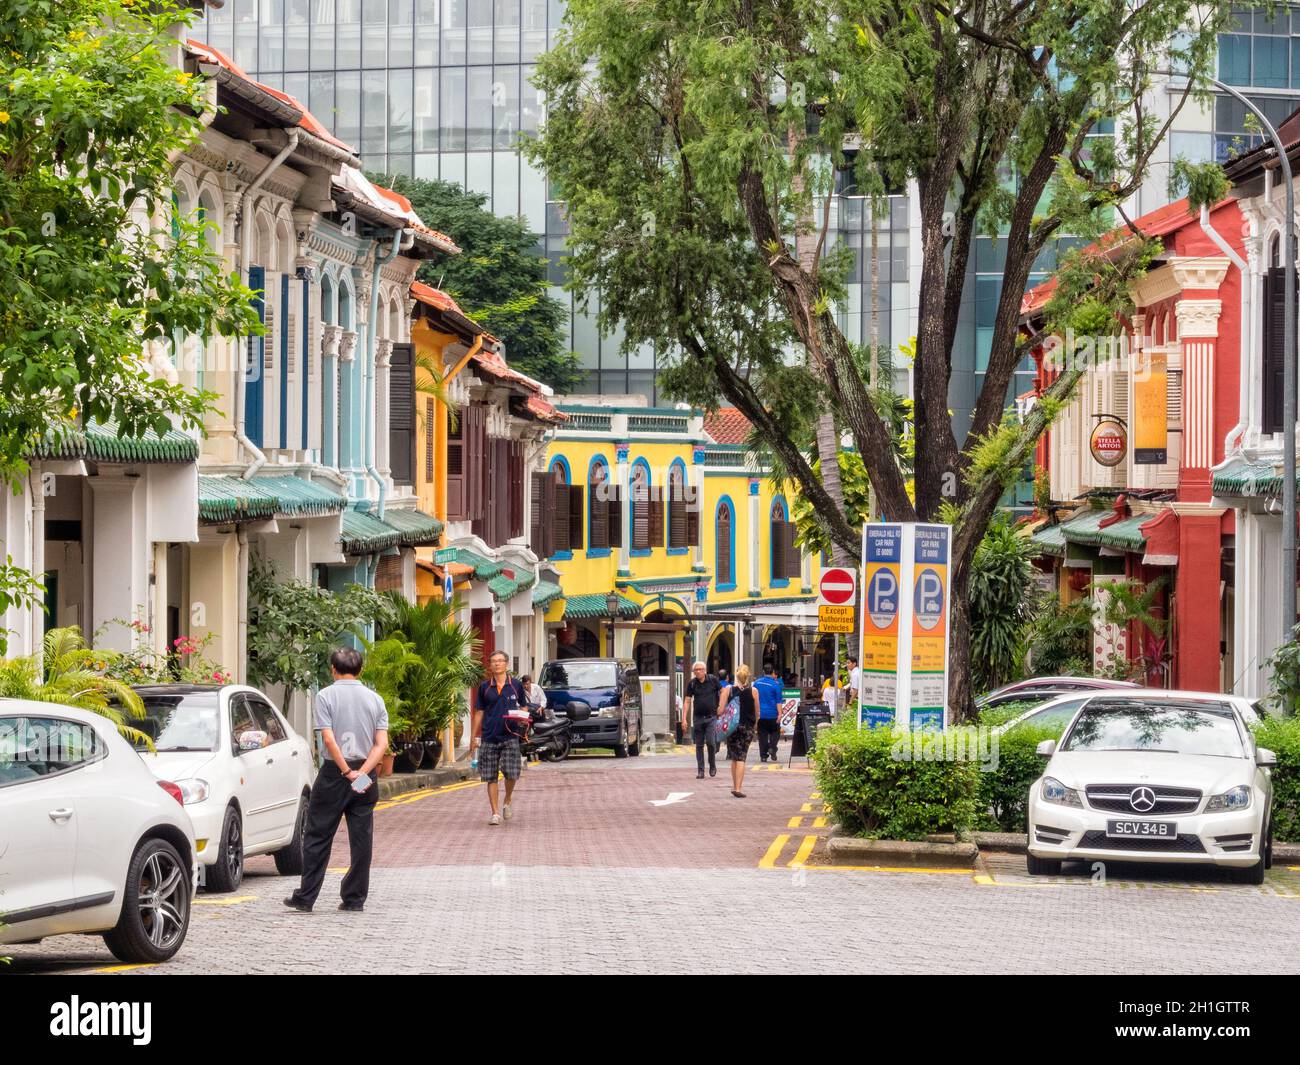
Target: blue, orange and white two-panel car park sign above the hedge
x,y
905,626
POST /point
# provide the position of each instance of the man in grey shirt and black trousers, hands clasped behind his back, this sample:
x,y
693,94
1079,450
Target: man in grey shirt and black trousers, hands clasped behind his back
x,y
354,726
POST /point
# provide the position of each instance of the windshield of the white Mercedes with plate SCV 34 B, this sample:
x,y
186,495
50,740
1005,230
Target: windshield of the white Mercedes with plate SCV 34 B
x,y
1169,729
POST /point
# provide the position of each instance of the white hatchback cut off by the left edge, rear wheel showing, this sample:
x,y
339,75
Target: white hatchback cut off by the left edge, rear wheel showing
x,y
90,842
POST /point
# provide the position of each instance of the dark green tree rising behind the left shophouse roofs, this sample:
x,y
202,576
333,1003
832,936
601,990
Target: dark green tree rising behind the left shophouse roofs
x,y
499,279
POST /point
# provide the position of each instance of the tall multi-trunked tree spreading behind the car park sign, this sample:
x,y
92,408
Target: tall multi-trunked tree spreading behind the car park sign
x,y
696,146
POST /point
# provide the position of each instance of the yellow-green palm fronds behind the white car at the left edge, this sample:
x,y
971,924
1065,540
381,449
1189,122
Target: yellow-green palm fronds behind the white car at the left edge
x,y
72,674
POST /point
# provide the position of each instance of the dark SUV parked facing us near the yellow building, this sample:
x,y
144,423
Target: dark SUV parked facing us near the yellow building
x,y
612,689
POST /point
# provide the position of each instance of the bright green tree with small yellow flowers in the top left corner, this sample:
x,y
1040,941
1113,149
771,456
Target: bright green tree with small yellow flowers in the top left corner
x,y
96,272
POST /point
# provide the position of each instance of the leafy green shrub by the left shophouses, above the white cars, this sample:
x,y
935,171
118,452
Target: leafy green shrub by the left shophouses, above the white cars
x,y
293,627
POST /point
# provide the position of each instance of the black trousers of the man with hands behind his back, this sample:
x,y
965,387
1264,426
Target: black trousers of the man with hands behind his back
x,y
332,800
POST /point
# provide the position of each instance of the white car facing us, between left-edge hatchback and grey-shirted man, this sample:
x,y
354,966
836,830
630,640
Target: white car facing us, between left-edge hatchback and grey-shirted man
x,y
244,772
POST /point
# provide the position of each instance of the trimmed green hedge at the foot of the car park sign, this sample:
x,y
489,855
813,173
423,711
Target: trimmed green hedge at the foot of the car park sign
x,y
874,793
